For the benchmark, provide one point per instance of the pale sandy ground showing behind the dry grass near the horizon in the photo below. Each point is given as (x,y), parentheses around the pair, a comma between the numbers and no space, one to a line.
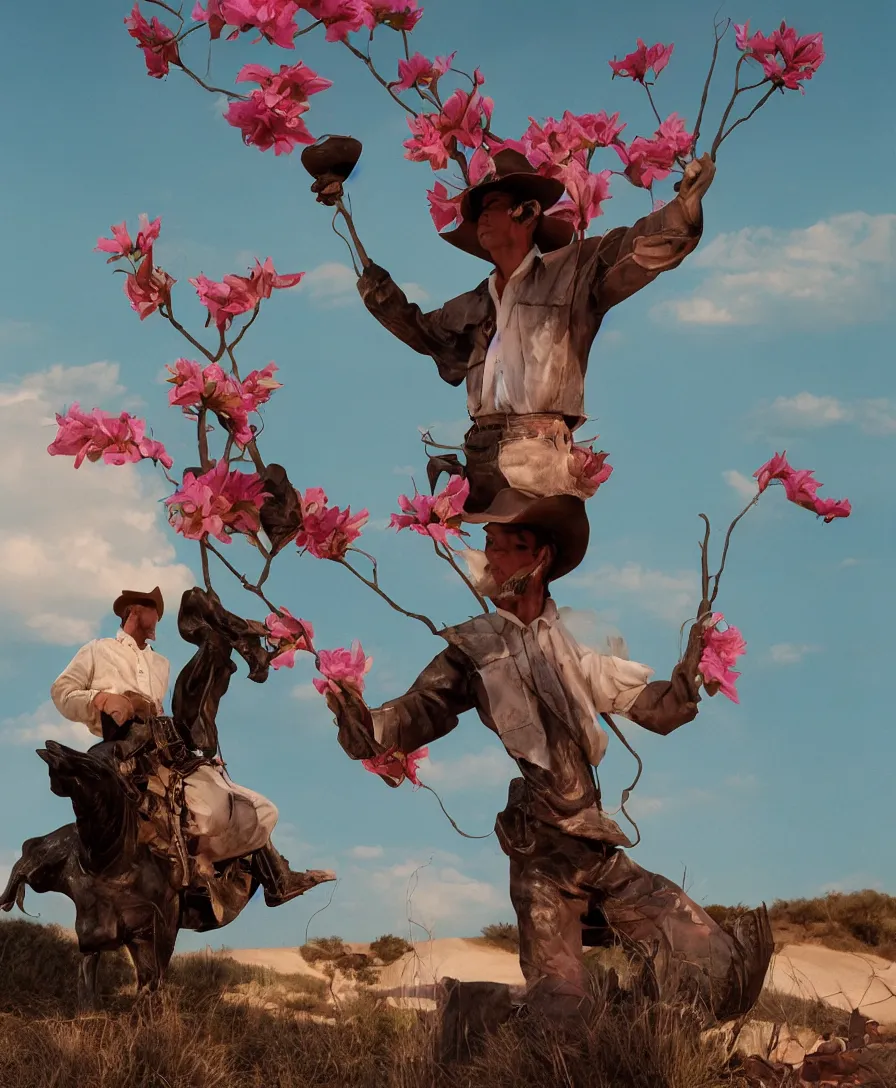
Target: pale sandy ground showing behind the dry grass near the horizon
(841,979)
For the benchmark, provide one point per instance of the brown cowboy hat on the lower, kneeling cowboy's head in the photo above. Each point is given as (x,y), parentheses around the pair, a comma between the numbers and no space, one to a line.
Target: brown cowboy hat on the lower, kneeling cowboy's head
(563,517)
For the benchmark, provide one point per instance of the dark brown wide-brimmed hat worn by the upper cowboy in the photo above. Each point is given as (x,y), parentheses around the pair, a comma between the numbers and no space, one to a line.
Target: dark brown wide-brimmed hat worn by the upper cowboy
(514,174)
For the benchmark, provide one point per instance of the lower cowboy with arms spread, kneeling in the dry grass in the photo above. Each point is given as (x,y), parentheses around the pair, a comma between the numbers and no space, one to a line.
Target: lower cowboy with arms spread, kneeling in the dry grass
(542,693)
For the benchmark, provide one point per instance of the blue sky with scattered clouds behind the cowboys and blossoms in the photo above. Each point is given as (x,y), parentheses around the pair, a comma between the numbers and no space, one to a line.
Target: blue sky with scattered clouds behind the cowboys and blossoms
(777,333)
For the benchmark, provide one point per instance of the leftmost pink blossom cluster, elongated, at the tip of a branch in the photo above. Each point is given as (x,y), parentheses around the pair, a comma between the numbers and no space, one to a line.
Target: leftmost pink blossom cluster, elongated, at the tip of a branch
(95,436)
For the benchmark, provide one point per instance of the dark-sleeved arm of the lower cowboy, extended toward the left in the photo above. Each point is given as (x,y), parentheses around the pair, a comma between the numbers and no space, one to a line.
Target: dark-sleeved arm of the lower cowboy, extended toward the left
(428,711)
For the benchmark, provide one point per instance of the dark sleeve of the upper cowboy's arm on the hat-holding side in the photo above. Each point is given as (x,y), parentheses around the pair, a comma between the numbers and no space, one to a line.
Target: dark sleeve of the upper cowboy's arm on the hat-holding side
(446,335)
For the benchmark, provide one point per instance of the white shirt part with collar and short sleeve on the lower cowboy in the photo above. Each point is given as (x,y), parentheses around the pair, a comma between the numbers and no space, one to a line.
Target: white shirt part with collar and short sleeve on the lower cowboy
(599,684)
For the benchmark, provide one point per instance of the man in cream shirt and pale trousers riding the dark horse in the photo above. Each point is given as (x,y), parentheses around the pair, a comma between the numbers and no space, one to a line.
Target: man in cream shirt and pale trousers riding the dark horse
(117,688)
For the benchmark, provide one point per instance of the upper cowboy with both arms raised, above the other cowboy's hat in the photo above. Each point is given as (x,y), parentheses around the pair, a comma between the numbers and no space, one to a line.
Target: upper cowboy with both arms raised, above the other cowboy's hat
(521,339)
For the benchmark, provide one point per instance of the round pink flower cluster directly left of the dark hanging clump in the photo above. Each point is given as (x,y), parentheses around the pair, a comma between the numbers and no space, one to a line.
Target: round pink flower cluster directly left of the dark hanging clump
(216,503)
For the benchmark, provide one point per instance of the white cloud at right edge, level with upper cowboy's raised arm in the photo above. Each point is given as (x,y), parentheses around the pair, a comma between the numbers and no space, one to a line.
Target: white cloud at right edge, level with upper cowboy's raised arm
(837,270)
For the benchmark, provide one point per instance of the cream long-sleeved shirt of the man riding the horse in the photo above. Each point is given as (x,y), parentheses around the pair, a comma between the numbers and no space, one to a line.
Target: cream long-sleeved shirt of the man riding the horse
(109,665)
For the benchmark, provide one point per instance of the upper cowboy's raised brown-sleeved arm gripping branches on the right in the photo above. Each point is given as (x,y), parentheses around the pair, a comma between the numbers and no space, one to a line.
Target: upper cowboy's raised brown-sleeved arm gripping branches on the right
(630,258)
